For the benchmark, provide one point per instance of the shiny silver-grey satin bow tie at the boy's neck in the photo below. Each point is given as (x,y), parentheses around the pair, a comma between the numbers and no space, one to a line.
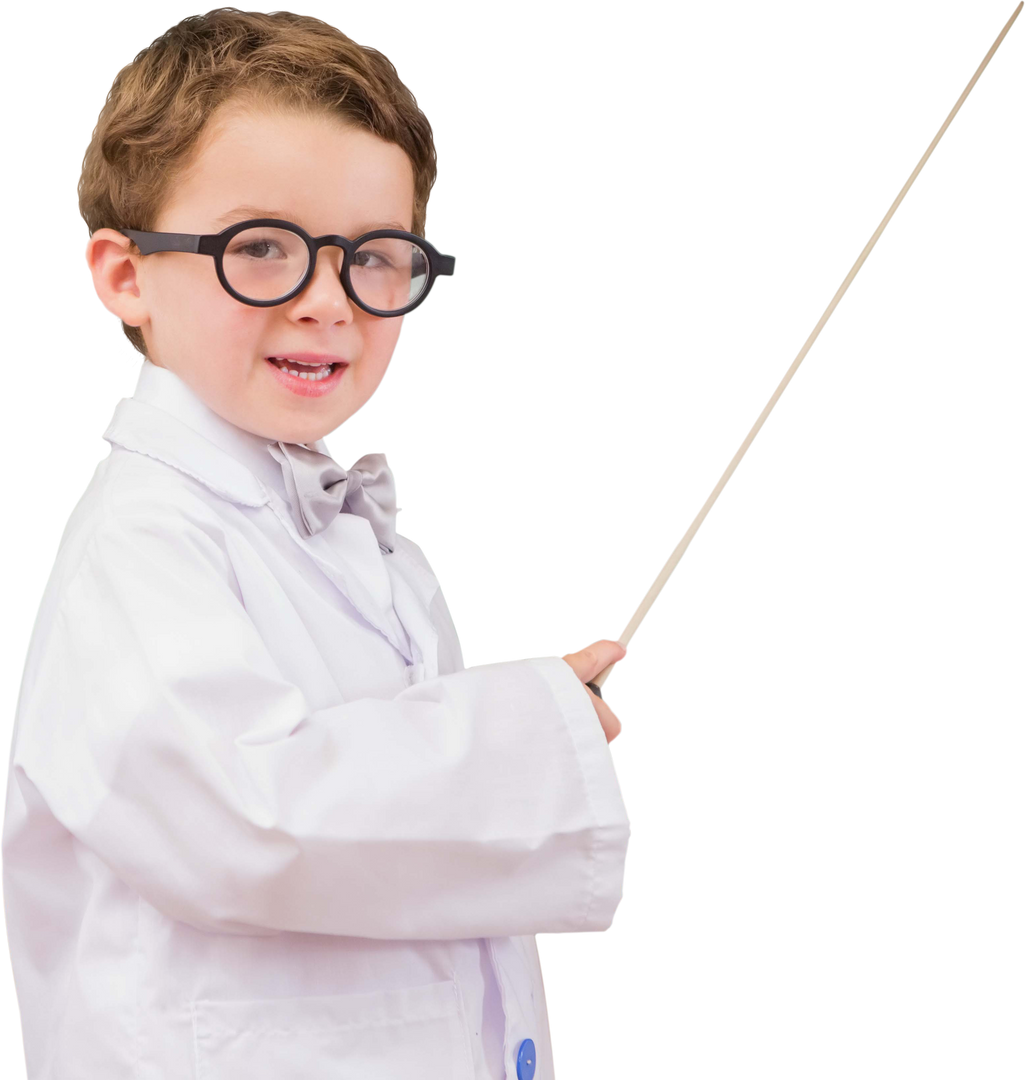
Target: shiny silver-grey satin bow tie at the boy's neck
(320,489)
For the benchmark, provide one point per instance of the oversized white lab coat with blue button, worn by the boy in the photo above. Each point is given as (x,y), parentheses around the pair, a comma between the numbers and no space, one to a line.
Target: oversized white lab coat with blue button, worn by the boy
(261,820)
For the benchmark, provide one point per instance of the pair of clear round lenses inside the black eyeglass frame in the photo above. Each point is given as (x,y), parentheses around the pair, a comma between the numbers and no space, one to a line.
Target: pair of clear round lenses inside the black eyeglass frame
(264,264)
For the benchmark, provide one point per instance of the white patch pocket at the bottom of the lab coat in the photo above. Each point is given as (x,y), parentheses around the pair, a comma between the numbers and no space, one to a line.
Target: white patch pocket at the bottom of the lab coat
(415,1034)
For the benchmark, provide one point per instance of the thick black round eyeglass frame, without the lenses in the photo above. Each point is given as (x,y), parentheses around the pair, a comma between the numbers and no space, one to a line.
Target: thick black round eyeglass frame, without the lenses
(440,264)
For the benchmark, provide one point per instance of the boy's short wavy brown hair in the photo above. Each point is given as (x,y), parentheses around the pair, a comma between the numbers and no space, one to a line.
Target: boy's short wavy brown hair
(146,133)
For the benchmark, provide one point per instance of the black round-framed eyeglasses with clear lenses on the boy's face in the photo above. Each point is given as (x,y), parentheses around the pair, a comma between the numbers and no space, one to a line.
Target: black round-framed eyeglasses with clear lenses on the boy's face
(268,262)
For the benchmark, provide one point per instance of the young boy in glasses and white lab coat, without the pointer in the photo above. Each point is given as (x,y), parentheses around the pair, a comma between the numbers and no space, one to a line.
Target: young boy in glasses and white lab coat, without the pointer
(261,818)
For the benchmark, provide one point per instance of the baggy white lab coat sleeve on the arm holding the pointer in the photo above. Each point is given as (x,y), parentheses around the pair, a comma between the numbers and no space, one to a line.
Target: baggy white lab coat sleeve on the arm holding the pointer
(163,735)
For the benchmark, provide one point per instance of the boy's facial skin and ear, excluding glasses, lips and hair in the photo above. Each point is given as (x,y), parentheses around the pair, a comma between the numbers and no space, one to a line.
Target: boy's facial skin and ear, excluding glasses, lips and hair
(321,174)
